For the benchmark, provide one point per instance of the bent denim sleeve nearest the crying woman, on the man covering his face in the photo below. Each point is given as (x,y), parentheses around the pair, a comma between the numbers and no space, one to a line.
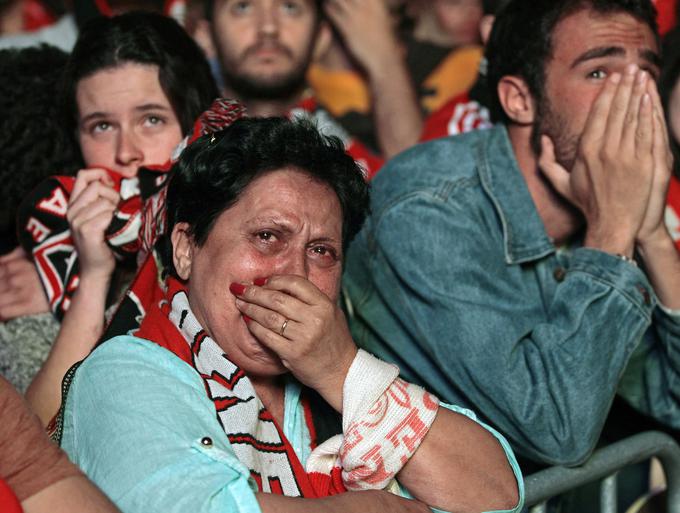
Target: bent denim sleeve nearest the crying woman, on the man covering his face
(539,357)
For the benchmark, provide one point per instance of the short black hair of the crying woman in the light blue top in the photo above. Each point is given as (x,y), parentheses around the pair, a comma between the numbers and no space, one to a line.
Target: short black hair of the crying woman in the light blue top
(210,177)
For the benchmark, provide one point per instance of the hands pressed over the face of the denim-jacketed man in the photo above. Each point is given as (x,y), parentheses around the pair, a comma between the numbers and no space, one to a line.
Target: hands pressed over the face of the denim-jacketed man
(617,178)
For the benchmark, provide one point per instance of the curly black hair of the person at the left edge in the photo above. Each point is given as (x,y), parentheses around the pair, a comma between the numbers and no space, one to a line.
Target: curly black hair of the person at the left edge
(34,144)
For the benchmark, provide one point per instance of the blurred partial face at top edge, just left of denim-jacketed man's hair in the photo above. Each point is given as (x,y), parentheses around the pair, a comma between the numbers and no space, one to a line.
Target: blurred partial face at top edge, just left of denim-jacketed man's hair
(460,19)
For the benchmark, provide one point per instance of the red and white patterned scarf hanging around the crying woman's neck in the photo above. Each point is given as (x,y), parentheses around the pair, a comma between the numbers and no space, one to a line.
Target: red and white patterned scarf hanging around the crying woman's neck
(256,438)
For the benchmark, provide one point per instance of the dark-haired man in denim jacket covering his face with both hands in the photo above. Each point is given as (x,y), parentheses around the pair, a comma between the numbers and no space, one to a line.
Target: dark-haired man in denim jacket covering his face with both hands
(522,296)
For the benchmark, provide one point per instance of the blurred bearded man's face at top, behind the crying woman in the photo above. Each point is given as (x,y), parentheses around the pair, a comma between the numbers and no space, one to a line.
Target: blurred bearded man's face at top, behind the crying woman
(264,46)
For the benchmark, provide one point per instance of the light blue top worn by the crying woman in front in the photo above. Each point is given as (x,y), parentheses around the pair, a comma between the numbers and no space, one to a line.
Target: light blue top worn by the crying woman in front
(134,419)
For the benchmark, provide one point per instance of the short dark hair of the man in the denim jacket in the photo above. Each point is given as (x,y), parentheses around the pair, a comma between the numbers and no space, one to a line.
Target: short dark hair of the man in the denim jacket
(521,39)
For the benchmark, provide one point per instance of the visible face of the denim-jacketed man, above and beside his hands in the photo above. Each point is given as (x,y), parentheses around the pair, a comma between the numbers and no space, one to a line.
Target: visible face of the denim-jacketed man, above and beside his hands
(587,48)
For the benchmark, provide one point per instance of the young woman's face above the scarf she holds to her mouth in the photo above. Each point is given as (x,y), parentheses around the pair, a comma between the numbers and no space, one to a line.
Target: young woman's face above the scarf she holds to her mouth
(125,120)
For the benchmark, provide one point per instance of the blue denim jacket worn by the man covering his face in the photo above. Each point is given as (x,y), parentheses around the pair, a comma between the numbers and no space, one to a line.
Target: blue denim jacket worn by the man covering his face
(454,279)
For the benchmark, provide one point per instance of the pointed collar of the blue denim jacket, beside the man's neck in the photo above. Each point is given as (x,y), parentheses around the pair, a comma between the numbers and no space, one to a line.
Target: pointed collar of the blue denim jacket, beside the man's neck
(523,230)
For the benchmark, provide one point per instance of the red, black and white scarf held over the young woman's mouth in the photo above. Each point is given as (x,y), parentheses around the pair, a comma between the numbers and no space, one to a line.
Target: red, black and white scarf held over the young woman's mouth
(44,231)
